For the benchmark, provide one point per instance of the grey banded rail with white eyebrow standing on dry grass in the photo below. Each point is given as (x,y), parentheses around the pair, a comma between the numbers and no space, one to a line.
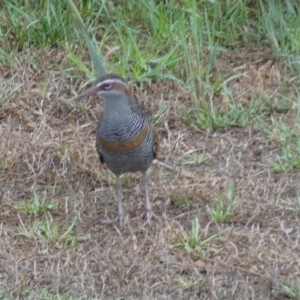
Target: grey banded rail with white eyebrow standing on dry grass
(126,138)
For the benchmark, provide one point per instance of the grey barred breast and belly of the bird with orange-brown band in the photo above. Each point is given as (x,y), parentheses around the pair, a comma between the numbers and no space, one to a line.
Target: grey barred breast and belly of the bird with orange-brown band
(126,144)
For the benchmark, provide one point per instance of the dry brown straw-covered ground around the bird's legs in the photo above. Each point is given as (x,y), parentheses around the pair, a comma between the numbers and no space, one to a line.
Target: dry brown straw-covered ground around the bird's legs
(47,151)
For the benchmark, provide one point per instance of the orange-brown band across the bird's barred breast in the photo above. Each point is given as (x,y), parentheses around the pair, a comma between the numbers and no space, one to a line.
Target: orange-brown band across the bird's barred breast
(126,146)
